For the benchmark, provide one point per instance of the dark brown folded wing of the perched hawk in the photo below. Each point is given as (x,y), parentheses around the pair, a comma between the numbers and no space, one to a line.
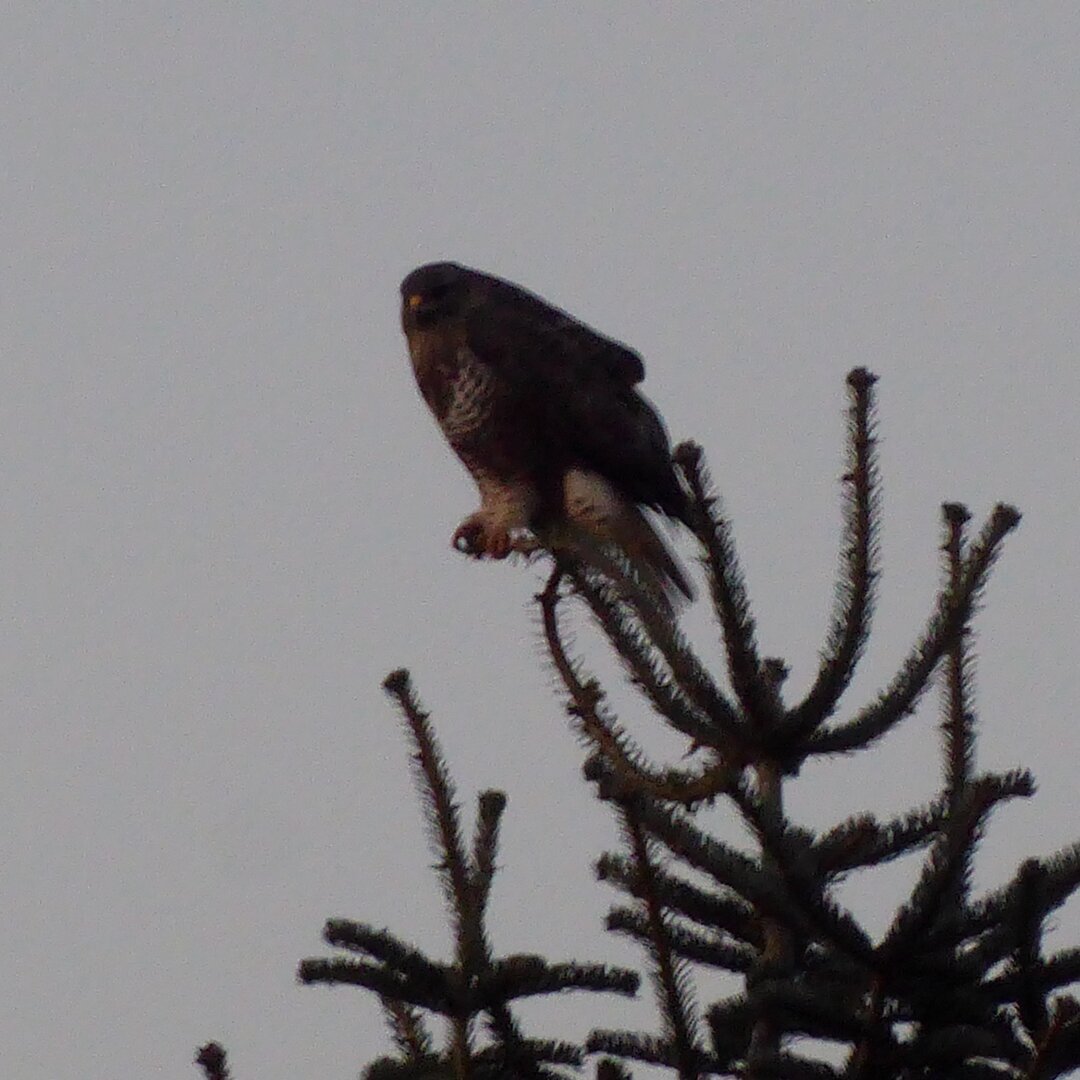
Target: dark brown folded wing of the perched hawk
(582,387)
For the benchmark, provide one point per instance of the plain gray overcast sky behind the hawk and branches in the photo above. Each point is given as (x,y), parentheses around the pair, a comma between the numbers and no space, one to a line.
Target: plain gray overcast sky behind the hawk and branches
(227,512)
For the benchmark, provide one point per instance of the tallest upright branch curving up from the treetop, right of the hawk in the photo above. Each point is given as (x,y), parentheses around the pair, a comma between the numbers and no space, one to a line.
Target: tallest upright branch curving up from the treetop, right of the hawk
(859,566)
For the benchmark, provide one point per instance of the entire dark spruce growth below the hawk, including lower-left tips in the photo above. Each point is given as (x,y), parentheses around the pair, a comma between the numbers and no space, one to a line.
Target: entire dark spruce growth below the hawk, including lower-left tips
(960,985)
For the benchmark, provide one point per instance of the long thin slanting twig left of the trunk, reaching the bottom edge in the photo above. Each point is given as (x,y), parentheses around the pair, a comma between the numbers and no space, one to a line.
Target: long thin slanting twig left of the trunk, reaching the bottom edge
(673,992)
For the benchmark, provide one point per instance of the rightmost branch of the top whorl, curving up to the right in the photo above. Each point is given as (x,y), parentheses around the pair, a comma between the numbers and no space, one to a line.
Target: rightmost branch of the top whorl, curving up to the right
(953,613)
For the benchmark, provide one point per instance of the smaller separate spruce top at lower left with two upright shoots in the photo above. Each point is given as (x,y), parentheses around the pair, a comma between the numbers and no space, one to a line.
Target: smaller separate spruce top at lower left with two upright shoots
(477,987)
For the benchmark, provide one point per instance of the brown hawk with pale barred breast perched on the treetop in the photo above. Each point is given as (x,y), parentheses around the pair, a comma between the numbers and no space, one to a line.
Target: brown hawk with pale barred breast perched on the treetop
(545,414)
